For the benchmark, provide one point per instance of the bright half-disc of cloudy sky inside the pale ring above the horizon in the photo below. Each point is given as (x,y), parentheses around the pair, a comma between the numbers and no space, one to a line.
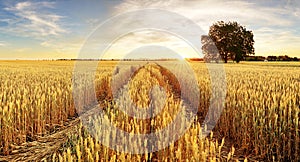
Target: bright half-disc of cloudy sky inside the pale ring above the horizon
(157,40)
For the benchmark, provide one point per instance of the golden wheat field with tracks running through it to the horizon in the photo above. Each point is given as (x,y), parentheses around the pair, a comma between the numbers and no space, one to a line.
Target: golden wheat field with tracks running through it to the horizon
(42,117)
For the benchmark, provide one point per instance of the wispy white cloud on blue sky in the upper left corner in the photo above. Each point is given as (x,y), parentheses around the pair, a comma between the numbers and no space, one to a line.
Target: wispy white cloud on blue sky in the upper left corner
(34,19)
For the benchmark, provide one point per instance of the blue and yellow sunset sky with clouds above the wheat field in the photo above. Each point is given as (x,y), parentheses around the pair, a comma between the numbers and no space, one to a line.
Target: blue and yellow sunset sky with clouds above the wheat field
(62,28)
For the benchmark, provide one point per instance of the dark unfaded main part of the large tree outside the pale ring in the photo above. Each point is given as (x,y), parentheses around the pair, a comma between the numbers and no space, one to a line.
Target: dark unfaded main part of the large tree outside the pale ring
(232,40)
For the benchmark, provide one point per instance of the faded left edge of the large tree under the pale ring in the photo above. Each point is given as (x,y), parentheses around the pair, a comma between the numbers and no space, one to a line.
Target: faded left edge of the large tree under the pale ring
(209,49)
